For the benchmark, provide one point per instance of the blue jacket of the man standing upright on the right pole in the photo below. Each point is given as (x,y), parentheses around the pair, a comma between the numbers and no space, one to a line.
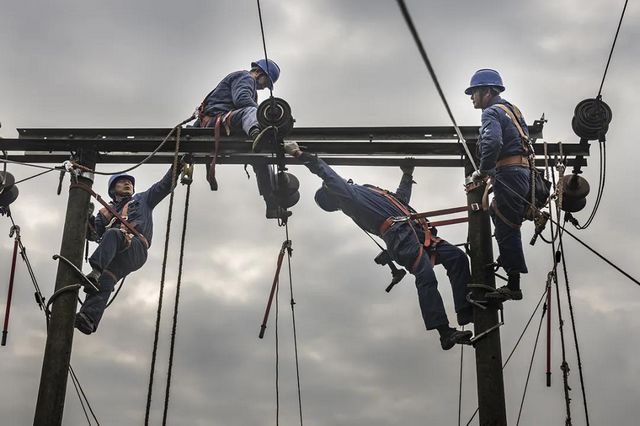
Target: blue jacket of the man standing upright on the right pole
(499,137)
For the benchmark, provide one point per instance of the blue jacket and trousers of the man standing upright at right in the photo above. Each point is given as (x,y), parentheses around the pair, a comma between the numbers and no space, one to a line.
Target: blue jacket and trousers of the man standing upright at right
(499,138)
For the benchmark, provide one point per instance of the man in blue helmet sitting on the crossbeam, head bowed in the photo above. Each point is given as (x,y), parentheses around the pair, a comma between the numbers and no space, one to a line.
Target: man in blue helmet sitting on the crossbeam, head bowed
(233,104)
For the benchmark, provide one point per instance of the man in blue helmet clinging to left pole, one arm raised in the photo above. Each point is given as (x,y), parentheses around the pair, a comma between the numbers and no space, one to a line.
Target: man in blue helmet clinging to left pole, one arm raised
(119,251)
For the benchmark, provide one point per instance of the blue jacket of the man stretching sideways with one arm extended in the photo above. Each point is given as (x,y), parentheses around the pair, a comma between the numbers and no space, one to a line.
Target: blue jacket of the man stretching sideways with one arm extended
(367,208)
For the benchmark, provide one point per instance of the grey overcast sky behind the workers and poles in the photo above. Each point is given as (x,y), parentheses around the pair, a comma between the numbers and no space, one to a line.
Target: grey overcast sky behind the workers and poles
(365,358)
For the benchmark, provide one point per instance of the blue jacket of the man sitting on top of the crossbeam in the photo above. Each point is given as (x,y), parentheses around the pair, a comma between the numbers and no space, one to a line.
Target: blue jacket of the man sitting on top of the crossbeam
(235,91)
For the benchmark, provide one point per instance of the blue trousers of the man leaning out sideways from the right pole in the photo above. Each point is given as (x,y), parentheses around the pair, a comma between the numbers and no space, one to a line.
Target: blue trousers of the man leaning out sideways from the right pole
(403,244)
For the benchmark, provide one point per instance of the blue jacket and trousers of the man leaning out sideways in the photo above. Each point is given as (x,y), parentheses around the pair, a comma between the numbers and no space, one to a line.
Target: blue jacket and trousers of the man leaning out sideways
(369,209)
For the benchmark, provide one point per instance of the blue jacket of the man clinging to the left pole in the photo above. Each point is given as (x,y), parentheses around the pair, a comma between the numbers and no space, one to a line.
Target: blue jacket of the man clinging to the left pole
(140,210)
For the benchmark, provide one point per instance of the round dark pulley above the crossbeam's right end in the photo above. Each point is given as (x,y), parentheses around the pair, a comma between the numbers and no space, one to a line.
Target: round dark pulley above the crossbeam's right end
(591,119)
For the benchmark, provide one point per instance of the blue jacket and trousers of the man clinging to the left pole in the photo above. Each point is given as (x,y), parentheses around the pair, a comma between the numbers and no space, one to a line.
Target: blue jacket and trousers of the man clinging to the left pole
(115,257)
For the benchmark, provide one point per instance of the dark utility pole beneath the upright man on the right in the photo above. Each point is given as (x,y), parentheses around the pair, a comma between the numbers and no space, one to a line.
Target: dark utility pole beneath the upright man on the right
(491,403)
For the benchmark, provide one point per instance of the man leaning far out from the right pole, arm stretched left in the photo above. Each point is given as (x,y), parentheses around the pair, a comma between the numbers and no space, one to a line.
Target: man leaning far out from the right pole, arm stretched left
(412,244)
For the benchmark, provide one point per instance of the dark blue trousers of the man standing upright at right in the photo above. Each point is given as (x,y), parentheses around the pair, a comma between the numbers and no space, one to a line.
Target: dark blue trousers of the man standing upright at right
(510,189)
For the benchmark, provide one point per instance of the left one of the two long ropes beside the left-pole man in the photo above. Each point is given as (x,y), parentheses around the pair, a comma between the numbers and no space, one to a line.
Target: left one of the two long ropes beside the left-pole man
(162,279)
